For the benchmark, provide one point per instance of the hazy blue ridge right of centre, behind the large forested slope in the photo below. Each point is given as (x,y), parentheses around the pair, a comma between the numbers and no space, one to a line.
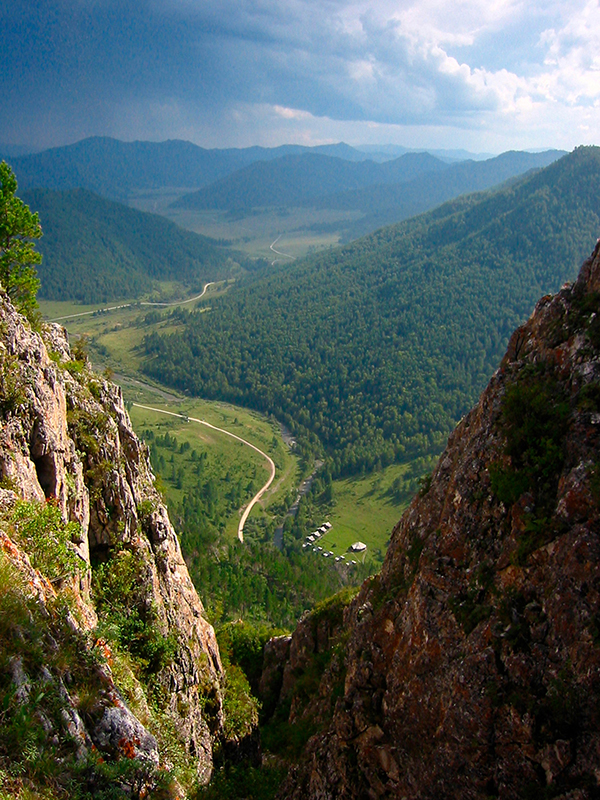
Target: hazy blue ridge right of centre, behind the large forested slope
(385,193)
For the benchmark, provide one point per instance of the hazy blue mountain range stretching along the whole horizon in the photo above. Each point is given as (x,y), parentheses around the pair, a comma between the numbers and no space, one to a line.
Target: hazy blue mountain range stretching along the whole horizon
(376,188)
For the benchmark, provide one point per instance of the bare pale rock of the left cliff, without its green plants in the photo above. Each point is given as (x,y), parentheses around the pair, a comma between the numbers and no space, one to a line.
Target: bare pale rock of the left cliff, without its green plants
(65,437)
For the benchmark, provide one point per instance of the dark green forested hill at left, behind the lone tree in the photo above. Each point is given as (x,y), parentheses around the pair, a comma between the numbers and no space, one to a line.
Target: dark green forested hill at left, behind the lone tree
(95,250)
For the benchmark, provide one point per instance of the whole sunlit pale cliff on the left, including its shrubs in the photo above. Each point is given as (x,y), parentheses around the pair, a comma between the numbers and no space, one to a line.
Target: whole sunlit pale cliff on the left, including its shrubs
(88,550)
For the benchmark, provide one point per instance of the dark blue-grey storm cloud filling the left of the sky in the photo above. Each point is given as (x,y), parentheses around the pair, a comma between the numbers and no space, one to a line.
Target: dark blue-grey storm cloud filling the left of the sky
(78,63)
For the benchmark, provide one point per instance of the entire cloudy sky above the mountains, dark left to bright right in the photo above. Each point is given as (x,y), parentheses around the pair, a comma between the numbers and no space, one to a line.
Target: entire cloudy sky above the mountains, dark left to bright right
(483,75)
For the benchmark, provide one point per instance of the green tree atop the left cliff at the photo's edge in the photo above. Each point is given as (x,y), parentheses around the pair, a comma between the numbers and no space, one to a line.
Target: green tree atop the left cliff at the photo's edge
(18,256)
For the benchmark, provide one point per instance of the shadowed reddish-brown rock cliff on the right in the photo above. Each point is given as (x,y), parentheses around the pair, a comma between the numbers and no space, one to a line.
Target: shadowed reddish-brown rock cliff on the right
(473,660)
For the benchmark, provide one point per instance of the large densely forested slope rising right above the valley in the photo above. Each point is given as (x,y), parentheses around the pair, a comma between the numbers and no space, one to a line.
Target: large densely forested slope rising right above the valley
(374,351)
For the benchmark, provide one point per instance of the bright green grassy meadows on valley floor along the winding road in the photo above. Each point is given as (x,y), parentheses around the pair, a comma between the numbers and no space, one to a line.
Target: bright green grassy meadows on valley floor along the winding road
(363,508)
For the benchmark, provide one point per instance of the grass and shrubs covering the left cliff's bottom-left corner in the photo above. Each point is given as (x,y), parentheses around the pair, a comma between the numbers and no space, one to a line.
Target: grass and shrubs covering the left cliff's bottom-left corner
(56,676)
